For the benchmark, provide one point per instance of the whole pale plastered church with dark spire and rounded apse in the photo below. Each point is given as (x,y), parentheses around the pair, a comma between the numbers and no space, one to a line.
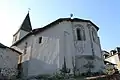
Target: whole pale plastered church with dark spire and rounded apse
(72,41)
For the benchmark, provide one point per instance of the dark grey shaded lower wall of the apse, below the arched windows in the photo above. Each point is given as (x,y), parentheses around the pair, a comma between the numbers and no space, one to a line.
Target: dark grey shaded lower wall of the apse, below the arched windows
(88,63)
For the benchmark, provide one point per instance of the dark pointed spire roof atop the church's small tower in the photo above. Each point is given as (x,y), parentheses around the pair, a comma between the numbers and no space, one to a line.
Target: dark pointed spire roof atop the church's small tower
(26,25)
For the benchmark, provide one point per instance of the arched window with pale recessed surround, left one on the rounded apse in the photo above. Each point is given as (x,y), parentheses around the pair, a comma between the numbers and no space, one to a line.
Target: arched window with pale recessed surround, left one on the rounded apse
(80,33)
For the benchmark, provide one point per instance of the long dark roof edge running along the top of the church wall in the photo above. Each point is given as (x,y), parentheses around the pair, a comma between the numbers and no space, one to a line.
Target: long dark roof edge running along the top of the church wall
(35,31)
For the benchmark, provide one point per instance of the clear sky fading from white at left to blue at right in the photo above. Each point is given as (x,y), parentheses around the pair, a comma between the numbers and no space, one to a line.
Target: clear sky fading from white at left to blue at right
(104,13)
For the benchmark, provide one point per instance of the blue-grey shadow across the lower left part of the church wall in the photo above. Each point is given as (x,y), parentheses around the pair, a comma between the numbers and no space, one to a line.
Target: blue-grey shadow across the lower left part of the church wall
(35,67)
